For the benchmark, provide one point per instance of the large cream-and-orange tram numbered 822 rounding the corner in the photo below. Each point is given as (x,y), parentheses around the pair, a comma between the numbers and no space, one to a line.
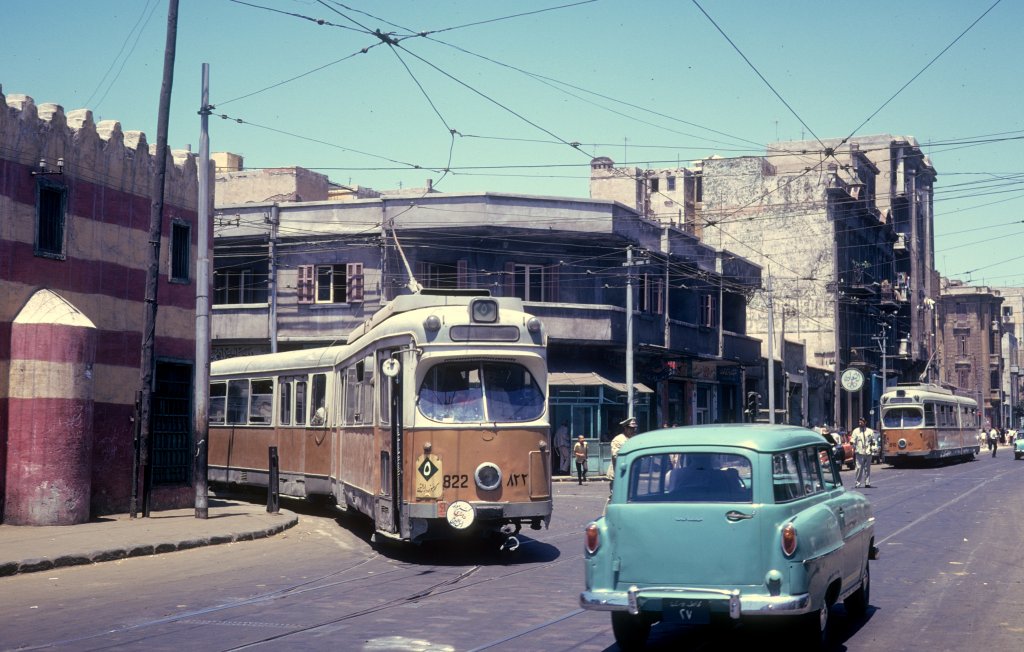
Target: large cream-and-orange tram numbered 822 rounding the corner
(432,419)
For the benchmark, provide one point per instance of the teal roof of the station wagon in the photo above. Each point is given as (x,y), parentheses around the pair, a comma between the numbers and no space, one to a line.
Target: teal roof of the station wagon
(763,438)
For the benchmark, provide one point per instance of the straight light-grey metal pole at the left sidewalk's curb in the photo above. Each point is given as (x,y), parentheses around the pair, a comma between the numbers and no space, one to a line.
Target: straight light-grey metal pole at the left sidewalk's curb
(201,392)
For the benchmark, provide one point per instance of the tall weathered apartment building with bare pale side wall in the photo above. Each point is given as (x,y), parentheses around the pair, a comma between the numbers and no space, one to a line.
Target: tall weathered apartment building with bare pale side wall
(843,230)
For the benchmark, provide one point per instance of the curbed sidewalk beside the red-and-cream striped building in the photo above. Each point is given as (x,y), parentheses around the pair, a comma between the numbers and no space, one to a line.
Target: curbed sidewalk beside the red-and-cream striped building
(28,549)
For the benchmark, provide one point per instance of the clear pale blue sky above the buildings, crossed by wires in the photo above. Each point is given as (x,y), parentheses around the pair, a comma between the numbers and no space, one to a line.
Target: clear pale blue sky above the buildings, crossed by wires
(646,83)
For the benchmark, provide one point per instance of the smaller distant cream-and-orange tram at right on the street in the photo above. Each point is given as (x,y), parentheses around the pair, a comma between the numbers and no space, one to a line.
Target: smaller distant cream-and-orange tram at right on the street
(922,422)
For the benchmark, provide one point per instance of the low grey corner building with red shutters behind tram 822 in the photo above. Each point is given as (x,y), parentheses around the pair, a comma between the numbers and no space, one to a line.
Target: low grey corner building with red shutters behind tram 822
(292,276)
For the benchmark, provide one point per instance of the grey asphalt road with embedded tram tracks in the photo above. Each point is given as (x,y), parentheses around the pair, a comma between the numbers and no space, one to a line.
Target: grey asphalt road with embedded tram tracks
(950,579)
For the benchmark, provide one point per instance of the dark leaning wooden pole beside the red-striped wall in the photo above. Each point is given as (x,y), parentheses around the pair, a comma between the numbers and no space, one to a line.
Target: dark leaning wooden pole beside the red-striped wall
(147,367)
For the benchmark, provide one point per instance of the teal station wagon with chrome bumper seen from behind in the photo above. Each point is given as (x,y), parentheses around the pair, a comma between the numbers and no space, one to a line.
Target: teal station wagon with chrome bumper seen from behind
(721,525)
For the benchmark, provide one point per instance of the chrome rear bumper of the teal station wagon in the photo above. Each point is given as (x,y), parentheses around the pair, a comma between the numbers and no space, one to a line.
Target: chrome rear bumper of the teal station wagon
(734,602)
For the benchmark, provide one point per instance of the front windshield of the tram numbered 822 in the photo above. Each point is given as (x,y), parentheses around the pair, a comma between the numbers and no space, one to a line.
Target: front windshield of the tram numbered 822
(471,393)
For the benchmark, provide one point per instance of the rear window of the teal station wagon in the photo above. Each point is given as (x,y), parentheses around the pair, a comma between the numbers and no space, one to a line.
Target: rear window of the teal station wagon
(691,477)
